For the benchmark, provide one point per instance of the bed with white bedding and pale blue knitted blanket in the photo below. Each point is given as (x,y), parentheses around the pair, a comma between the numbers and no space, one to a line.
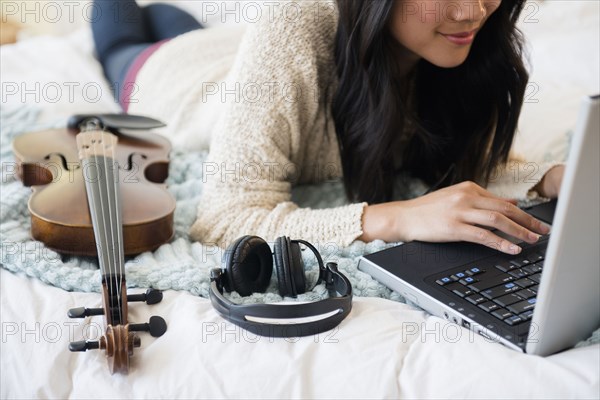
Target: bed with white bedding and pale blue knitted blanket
(386,348)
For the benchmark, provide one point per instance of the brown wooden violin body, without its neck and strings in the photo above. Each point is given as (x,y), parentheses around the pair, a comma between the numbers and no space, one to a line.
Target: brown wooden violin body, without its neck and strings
(60,216)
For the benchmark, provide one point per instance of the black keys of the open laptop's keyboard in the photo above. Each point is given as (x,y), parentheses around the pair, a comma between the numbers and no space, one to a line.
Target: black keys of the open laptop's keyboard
(506,289)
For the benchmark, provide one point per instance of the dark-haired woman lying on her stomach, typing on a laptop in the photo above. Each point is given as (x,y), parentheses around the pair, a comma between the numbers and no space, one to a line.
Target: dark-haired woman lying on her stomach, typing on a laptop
(367,91)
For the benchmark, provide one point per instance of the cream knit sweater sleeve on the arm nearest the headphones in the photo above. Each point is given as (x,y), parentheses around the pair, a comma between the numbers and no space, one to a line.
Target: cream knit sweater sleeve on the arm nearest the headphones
(259,146)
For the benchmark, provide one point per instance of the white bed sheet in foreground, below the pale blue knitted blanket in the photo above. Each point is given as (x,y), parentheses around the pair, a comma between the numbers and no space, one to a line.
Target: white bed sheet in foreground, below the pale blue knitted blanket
(383,349)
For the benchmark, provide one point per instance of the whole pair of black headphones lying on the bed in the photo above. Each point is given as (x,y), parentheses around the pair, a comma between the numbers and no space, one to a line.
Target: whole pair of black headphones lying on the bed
(247,268)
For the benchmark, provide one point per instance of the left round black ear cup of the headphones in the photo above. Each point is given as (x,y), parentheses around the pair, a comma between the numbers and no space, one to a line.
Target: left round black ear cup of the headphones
(249,265)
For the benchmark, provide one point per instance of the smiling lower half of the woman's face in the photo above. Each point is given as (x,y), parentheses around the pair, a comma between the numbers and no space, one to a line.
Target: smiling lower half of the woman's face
(440,31)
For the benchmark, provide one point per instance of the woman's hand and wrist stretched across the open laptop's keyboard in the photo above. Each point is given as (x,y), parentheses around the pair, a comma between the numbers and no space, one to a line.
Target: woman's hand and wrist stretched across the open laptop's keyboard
(463,212)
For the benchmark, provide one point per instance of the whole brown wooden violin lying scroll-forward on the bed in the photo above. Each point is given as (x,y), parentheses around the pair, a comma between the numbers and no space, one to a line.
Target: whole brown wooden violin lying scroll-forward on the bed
(120,219)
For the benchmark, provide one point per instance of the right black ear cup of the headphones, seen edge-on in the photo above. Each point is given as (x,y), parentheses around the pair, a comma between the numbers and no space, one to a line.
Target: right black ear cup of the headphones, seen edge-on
(290,268)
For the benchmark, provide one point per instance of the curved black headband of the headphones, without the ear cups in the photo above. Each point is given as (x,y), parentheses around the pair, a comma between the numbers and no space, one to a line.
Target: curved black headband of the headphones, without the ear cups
(239,314)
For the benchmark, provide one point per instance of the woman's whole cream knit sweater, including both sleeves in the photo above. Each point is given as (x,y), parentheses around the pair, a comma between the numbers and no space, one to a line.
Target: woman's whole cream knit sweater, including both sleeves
(264,102)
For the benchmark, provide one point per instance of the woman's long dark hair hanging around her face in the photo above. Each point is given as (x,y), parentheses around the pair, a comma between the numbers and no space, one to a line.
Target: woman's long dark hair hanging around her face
(461,118)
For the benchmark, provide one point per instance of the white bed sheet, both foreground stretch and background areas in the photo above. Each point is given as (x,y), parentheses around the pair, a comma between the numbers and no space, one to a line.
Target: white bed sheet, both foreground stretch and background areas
(375,353)
